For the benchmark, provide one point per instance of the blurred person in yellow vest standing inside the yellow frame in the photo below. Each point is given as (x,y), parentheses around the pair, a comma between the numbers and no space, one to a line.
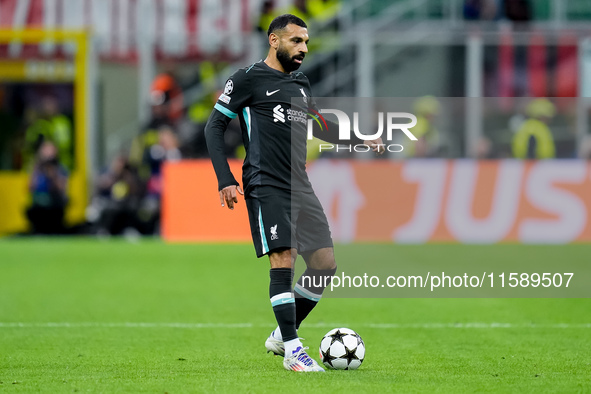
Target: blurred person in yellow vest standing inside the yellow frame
(49,124)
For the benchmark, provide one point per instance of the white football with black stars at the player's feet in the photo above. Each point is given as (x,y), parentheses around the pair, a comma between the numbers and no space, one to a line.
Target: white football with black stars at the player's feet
(342,348)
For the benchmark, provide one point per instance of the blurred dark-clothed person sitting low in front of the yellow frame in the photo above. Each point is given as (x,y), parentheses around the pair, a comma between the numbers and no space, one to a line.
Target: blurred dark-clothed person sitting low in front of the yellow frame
(48,191)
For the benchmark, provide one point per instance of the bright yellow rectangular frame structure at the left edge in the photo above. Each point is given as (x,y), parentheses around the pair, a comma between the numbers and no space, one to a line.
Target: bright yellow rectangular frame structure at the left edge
(14,191)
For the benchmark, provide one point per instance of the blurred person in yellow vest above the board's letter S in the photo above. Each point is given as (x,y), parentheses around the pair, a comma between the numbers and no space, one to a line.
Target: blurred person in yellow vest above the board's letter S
(533,140)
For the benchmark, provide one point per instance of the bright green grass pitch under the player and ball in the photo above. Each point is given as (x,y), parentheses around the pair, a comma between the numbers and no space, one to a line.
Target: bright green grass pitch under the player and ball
(111,283)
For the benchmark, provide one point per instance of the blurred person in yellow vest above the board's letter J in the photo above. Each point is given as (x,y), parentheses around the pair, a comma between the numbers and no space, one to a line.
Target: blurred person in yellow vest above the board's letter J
(428,142)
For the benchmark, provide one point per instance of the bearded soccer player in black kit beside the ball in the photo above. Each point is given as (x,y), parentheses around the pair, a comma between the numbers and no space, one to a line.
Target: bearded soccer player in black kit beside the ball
(285,215)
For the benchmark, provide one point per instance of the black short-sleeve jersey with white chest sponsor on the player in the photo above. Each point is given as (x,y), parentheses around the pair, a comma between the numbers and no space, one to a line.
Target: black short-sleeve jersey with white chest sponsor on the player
(273,132)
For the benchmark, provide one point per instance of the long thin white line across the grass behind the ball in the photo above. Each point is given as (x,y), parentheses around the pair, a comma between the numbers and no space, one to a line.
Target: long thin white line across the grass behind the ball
(313,325)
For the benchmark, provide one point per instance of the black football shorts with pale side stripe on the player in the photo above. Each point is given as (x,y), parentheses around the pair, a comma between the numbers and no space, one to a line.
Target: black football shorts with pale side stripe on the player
(281,218)
